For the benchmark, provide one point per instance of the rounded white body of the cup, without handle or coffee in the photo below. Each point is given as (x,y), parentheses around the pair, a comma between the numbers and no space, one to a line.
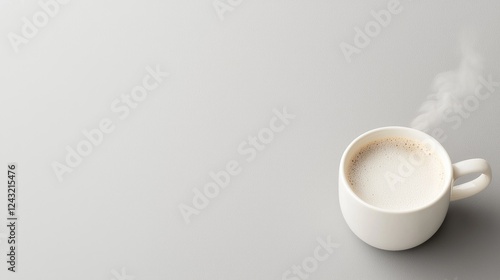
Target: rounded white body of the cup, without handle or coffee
(394,229)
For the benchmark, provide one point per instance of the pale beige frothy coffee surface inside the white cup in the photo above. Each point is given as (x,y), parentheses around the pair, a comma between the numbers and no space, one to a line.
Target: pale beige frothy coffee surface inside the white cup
(396,173)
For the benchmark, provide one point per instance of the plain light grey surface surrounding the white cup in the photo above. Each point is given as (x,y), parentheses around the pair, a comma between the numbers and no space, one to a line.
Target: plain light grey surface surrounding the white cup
(116,215)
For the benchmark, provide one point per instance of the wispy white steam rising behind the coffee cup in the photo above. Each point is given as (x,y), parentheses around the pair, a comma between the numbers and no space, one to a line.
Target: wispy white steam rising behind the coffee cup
(451,87)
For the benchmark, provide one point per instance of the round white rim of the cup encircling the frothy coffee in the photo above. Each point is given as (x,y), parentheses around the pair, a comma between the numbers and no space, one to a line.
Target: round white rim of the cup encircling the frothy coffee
(443,156)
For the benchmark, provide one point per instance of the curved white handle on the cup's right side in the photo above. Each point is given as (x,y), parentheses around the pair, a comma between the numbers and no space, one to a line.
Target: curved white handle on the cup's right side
(477,165)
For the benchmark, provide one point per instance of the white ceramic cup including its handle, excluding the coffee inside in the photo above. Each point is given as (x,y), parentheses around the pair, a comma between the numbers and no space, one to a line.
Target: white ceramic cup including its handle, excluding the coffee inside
(391,229)
